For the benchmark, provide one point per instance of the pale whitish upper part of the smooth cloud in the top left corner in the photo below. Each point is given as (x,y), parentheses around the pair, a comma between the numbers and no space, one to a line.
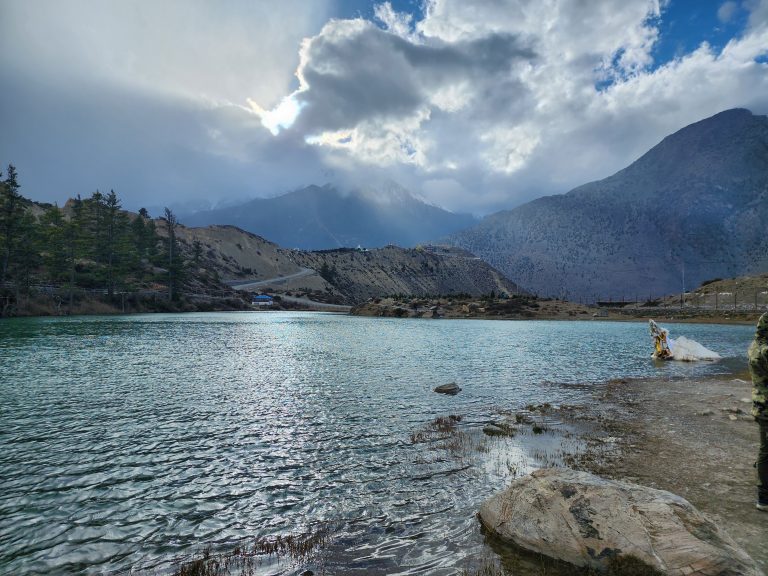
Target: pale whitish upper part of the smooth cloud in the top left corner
(194,48)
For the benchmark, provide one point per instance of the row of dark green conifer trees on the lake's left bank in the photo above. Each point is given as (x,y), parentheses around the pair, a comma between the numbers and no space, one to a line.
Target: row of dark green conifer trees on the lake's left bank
(89,243)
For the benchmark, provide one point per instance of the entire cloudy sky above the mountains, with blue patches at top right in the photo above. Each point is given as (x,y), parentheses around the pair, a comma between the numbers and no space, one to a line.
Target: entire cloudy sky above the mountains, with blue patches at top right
(474,105)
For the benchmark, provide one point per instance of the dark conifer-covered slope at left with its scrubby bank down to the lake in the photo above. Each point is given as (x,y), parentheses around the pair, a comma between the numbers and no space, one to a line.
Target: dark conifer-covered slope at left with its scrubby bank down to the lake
(92,247)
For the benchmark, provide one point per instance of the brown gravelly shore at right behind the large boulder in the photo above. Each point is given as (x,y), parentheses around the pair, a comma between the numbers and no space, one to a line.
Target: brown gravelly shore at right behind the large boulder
(692,437)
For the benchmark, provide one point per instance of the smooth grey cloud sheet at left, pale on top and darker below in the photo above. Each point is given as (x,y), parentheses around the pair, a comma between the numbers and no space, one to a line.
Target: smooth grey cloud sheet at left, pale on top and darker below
(144,97)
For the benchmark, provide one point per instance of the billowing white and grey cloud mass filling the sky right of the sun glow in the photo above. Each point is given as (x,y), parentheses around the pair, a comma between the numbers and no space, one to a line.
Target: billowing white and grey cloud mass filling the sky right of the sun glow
(513,98)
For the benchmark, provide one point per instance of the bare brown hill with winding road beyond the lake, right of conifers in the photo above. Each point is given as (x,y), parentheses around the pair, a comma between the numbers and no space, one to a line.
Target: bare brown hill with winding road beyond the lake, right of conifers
(351,275)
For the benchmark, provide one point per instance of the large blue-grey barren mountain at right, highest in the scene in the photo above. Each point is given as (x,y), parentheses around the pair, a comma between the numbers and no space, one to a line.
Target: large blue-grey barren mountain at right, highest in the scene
(694,207)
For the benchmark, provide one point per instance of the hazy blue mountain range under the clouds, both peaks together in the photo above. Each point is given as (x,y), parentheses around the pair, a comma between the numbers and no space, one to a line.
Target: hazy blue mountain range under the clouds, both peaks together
(693,208)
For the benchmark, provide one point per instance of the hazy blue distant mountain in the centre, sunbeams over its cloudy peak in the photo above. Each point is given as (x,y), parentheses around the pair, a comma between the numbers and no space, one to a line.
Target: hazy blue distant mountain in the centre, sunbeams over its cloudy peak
(324,217)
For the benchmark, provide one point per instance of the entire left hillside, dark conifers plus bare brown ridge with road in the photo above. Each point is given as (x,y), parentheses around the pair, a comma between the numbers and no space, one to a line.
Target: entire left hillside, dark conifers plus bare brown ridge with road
(92,256)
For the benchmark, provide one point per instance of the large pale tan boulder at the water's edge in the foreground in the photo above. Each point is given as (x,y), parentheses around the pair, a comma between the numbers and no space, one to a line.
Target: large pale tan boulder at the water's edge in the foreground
(585,520)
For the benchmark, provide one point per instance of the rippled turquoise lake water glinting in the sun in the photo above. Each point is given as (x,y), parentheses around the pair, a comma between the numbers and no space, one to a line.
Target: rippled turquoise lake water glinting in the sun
(130,442)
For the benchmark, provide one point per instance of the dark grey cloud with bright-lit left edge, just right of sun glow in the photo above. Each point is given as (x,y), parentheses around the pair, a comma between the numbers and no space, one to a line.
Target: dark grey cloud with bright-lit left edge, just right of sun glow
(356,71)
